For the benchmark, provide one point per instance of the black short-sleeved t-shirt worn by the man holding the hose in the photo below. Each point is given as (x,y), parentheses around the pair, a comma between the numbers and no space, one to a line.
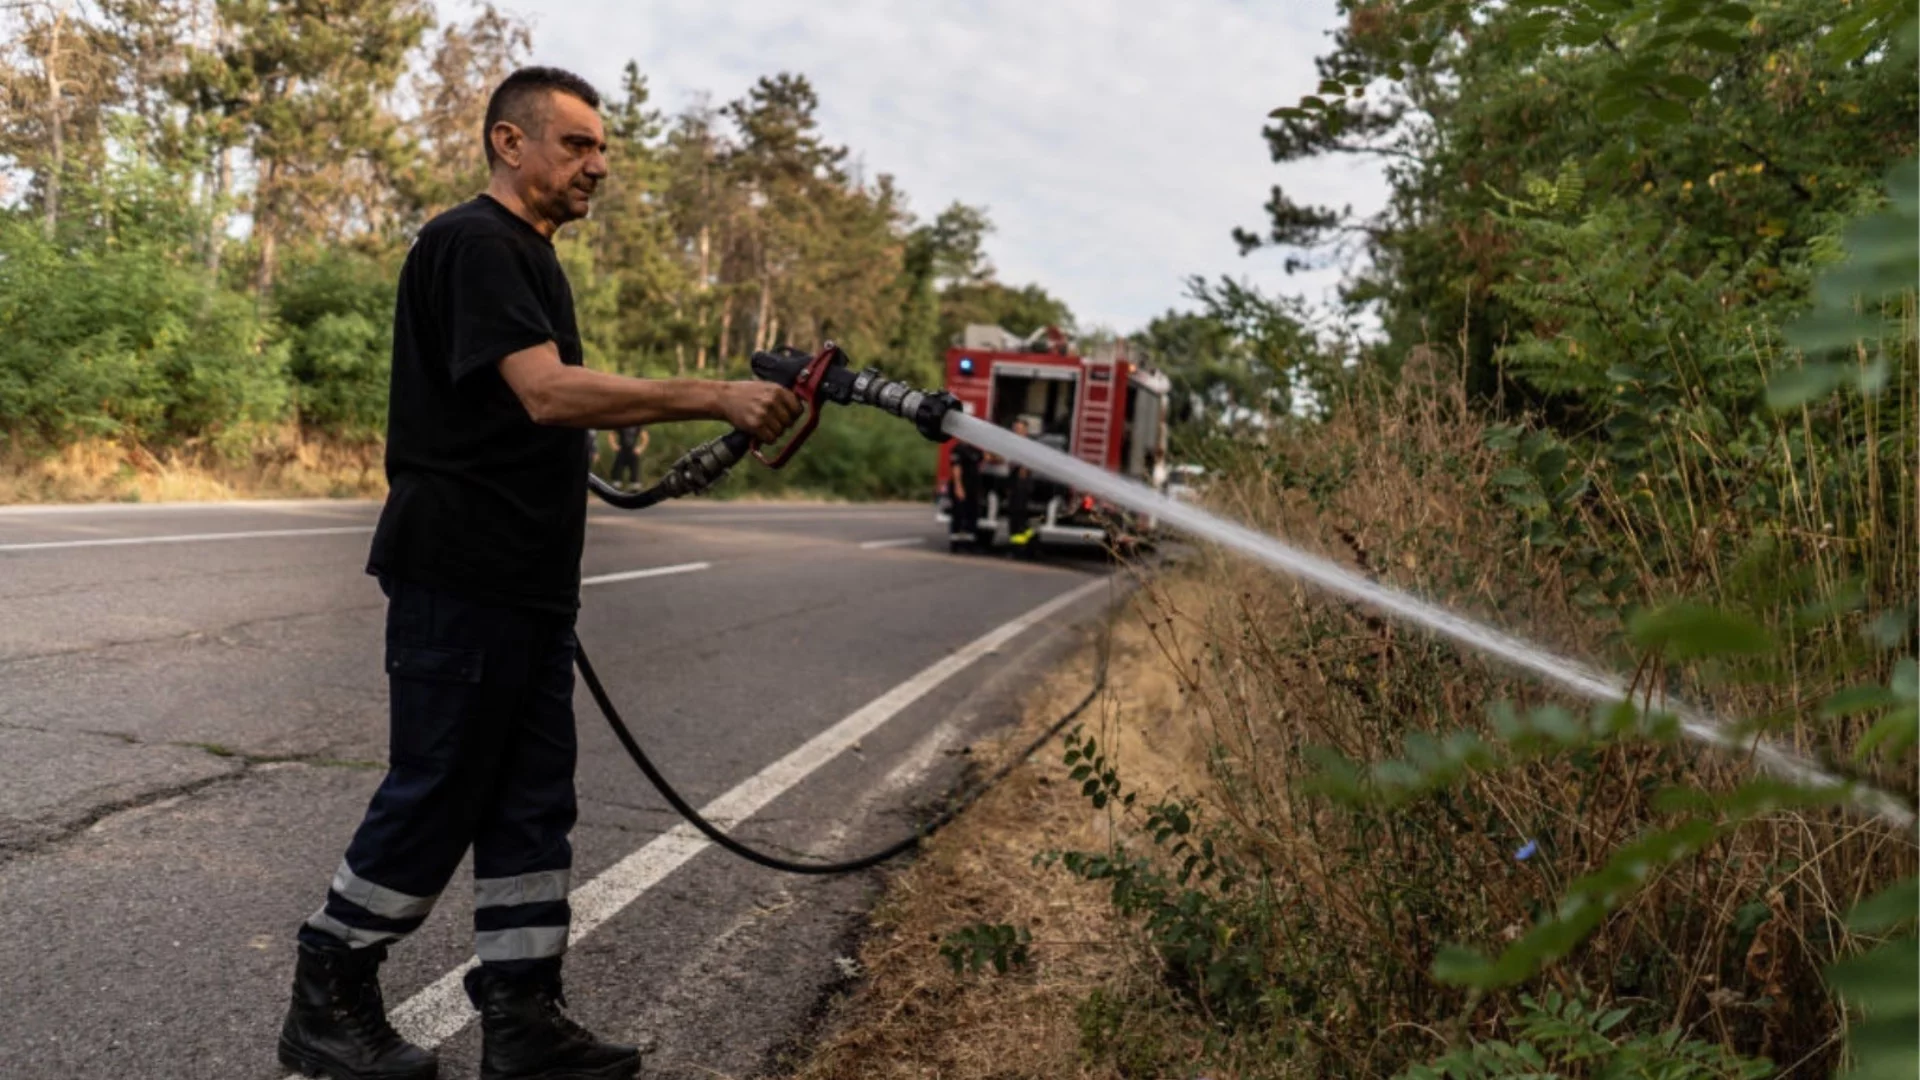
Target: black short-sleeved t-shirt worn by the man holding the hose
(483,501)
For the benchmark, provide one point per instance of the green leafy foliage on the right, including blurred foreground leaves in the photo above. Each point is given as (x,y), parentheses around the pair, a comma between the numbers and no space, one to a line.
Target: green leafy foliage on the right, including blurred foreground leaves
(1673,249)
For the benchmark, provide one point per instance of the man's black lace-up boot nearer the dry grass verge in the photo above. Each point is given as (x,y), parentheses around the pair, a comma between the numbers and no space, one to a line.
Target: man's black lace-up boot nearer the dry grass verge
(525,1035)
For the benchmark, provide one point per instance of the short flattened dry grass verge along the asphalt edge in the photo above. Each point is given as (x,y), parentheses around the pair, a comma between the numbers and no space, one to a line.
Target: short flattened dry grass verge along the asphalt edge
(913,1016)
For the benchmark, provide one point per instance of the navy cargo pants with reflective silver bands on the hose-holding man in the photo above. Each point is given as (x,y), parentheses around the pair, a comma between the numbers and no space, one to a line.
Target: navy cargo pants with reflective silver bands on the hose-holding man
(481,754)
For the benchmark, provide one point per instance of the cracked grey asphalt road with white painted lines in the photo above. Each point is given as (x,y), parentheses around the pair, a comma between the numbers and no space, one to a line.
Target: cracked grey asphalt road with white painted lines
(193,718)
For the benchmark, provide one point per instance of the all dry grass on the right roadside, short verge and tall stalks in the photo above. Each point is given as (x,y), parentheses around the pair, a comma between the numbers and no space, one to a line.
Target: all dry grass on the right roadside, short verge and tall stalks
(1228,675)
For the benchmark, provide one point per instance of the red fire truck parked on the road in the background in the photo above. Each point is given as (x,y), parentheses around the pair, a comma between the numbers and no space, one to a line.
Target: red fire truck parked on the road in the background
(1105,408)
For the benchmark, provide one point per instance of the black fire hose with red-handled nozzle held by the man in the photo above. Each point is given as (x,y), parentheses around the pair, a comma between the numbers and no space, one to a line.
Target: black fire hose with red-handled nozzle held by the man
(817,380)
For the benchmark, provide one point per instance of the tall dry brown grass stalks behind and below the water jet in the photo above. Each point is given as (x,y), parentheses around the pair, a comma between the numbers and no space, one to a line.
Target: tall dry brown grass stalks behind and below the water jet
(1727,946)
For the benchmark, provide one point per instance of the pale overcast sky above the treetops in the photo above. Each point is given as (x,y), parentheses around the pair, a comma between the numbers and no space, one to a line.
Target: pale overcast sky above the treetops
(1116,143)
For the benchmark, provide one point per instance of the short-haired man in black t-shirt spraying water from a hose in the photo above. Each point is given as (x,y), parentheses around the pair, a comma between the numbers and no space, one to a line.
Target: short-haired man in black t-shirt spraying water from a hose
(479,554)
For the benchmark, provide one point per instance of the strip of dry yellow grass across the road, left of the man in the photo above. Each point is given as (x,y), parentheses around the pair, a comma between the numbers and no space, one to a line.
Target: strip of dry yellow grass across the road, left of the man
(285,466)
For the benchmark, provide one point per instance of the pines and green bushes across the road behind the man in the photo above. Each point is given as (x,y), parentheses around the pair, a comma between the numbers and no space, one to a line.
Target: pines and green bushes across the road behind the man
(210,201)
